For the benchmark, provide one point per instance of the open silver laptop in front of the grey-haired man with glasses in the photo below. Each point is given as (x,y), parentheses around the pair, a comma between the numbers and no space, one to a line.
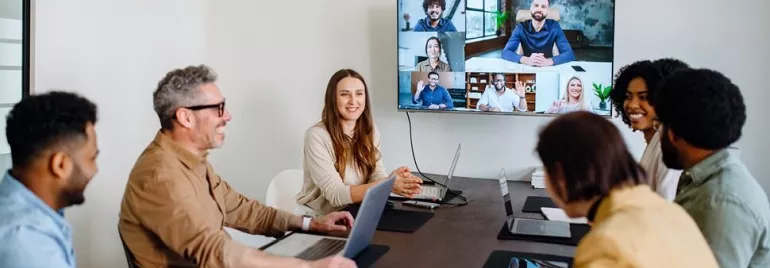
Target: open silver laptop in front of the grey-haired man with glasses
(314,247)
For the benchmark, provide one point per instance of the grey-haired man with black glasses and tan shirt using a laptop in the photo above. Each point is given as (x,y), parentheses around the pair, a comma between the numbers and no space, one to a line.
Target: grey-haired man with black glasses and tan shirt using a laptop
(175,207)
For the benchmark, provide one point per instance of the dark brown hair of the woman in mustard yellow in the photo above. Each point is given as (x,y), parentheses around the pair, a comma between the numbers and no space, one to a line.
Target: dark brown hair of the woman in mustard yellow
(591,153)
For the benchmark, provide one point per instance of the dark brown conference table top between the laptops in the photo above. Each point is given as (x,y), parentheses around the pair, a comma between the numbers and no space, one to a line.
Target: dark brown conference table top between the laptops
(464,236)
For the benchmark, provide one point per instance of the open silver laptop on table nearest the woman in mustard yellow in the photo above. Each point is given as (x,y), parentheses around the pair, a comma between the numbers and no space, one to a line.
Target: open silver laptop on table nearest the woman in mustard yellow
(531,227)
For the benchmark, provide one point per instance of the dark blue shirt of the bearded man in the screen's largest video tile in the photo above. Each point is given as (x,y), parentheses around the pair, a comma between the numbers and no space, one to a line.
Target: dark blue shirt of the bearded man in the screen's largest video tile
(538,42)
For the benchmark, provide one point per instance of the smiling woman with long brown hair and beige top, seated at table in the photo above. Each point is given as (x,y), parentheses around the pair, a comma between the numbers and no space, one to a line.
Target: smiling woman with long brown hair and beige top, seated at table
(341,153)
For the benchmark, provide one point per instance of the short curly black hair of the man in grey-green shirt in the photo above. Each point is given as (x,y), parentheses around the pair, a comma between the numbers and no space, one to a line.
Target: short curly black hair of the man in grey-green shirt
(703,107)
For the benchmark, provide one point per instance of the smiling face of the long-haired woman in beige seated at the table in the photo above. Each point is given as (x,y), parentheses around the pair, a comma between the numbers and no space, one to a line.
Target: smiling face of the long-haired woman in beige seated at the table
(351,98)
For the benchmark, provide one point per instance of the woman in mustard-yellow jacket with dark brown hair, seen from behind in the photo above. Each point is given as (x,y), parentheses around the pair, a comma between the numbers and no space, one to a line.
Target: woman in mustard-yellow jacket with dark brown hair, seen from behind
(590,173)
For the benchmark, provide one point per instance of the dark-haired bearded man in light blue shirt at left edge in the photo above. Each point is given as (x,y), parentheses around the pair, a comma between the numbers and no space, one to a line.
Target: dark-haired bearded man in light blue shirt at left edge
(53,150)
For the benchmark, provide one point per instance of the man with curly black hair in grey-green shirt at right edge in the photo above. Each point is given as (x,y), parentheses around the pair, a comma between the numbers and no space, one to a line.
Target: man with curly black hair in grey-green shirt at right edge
(702,113)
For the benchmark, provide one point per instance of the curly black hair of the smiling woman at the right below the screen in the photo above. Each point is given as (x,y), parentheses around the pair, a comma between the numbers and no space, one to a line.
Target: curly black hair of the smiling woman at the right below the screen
(652,72)
